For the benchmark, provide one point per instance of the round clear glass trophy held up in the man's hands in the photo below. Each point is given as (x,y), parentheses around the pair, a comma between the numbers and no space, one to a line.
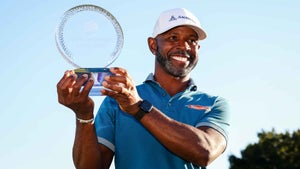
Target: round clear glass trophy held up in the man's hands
(90,39)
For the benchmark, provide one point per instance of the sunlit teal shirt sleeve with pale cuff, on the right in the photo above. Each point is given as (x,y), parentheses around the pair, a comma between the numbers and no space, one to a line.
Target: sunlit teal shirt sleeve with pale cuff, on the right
(218,117)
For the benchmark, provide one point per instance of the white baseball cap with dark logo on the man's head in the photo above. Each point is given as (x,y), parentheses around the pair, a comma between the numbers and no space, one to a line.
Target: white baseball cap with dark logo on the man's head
(177,17)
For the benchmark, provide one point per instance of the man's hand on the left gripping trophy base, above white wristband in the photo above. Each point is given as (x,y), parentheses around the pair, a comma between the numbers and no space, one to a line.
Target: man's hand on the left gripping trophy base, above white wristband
(70,94)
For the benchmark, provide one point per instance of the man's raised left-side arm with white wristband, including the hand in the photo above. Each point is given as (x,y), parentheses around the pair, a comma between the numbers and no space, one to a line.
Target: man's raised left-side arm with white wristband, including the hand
(87,152)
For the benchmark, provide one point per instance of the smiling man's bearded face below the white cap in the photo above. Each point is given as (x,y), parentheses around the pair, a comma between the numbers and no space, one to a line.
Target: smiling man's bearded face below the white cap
(177,51)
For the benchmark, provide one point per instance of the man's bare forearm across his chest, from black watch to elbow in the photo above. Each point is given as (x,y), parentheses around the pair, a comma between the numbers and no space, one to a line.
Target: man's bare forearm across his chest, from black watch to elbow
(199,145)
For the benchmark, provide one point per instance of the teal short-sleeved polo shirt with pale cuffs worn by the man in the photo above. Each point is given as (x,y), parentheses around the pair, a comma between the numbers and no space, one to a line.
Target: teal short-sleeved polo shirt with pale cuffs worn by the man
(135,147)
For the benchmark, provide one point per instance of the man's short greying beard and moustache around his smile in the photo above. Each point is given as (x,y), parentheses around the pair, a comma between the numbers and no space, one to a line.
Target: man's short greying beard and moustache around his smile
(168,67)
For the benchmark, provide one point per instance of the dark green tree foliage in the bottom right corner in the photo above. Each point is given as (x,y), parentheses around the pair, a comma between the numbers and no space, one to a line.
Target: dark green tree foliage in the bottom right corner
(273,151)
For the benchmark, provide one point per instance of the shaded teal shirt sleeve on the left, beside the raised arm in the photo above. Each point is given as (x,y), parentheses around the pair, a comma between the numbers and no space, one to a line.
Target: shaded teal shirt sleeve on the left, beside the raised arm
(105,123)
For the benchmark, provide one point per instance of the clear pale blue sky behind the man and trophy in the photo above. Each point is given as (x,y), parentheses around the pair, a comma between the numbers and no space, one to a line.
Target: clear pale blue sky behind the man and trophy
(251,57)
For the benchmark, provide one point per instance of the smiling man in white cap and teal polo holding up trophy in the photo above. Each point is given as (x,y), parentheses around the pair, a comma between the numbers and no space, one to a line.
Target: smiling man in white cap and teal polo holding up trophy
(164,123)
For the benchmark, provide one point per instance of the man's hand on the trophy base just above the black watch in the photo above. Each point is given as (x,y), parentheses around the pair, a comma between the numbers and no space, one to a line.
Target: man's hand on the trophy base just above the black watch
(122,88)
